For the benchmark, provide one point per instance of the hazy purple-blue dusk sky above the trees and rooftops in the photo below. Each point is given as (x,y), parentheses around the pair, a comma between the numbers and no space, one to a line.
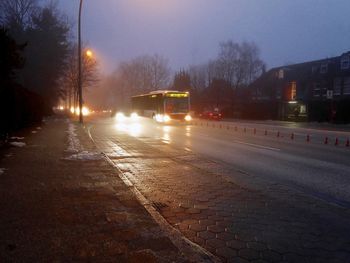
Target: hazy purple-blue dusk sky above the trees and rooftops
(189,31)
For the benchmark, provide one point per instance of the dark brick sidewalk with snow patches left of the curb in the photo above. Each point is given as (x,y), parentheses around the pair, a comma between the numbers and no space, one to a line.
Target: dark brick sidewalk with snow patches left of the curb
(60,201)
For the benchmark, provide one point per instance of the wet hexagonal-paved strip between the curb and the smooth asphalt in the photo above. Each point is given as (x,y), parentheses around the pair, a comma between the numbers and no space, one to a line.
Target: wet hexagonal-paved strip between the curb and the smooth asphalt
(256,222)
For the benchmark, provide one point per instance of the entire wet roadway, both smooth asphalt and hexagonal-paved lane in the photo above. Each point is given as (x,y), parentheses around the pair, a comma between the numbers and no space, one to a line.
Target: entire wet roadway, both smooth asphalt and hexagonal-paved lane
(280,171)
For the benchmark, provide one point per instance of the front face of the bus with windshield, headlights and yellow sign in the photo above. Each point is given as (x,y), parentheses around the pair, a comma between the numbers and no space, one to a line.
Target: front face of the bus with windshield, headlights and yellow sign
(177,106)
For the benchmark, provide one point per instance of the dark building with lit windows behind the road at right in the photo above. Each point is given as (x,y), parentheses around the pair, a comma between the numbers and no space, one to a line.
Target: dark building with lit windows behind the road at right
(314,91)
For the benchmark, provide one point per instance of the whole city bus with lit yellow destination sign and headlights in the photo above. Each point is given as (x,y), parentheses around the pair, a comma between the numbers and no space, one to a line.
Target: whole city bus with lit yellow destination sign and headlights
(163,105)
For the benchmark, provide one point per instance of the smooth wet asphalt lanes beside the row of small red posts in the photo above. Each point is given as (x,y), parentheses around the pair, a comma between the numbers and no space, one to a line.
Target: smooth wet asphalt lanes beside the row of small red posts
(316,168)
